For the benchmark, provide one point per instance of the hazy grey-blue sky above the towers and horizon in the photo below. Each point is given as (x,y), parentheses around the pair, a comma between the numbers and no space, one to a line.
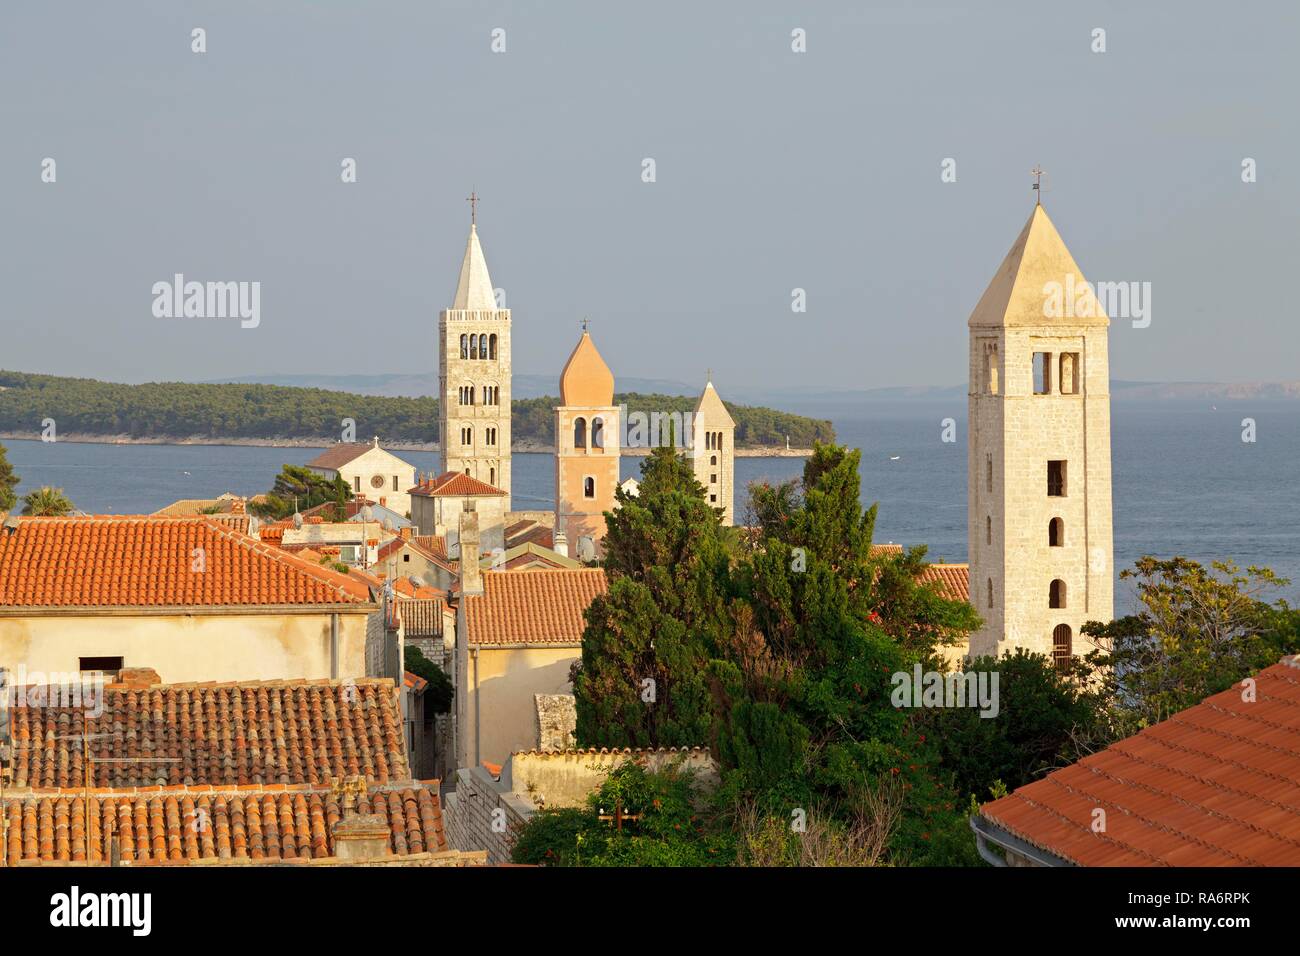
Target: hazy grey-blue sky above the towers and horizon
(774,171)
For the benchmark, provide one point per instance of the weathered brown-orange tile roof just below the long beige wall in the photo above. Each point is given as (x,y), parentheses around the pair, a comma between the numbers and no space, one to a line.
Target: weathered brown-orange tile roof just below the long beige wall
(258,733)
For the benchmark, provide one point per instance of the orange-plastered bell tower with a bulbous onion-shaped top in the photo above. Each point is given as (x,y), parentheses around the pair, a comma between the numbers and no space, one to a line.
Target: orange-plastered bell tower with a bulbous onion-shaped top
(587,449)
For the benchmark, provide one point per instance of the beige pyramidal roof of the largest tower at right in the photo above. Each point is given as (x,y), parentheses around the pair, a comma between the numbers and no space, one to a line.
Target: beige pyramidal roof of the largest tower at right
(1022,293)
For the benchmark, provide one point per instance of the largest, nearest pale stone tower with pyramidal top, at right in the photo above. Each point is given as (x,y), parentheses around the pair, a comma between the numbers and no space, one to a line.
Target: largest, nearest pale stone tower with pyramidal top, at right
(1042,560)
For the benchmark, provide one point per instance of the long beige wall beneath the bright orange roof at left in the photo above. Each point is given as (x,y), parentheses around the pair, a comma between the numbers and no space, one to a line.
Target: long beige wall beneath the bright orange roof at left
(190,647)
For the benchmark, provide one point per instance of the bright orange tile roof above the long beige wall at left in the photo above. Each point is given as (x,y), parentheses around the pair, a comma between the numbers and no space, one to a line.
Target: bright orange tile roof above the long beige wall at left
(142,561)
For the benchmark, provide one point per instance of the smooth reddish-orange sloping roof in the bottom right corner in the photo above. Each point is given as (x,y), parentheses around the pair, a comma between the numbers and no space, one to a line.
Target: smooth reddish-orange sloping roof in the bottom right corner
(1217,785)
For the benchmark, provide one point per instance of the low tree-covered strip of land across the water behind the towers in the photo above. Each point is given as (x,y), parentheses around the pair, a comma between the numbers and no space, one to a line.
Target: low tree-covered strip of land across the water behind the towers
(180,410)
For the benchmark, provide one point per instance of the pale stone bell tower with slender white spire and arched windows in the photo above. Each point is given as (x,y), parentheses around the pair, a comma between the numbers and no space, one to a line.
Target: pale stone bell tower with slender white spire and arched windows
(474,377)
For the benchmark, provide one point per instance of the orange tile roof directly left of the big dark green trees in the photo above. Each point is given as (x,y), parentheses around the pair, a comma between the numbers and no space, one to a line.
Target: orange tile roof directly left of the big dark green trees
(532,608)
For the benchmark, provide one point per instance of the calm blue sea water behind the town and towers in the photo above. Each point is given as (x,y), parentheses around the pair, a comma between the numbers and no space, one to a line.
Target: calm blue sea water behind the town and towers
(1185,483)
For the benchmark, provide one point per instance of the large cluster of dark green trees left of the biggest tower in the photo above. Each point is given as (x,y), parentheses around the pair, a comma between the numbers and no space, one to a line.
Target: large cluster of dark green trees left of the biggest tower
(777,655)
